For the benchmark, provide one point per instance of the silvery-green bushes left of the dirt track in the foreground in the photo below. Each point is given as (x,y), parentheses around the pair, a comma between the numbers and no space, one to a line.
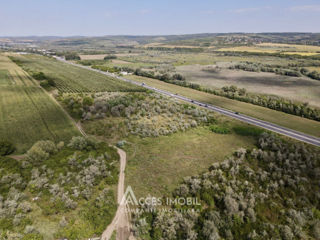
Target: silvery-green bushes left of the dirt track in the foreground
(56,180)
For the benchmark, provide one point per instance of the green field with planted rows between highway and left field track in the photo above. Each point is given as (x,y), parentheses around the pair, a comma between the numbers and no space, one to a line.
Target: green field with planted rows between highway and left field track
(70,78)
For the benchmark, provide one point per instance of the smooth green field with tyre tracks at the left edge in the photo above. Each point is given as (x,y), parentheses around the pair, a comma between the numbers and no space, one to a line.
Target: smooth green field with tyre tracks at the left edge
(27,113)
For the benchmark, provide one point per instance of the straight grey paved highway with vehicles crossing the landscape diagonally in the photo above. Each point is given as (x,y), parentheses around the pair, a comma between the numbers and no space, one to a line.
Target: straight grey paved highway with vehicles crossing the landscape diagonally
(254,121)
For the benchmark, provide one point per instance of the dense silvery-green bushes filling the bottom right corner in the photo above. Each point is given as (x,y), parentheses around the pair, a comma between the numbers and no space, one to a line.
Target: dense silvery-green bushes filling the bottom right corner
(270,192)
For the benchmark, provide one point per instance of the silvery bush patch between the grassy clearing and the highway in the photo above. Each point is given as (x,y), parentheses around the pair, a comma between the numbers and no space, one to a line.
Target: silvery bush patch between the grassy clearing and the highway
(143,114)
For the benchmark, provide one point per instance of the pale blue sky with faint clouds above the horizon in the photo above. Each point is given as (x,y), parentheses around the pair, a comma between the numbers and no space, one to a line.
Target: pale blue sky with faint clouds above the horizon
(150,17)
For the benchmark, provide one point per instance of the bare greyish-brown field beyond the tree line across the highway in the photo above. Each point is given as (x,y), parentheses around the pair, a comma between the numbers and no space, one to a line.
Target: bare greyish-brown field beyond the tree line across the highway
(300,89)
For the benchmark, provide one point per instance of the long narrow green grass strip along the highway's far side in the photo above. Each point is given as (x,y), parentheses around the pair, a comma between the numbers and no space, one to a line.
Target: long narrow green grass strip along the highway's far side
(286,120)
